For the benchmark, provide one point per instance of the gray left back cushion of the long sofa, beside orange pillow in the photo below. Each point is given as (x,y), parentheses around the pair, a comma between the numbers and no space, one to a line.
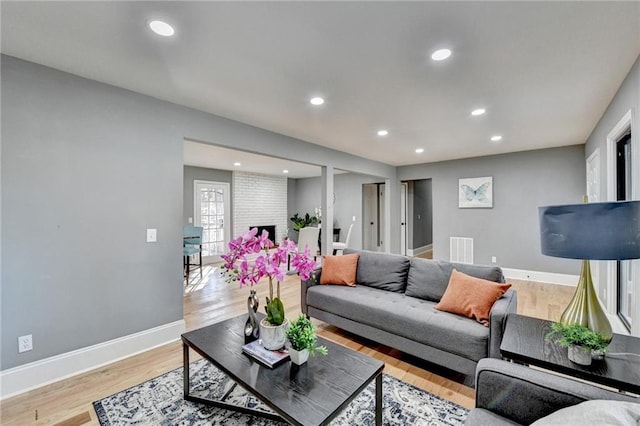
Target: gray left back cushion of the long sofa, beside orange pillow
(382,270)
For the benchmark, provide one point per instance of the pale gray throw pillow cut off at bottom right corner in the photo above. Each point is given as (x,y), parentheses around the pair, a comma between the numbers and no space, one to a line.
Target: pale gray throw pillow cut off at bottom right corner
(595,412)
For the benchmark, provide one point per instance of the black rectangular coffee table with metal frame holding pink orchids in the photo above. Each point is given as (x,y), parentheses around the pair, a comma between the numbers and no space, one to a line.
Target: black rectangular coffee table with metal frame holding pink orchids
(311,394)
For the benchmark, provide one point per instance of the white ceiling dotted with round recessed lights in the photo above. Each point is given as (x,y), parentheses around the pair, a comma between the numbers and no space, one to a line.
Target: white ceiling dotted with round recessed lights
(545,71)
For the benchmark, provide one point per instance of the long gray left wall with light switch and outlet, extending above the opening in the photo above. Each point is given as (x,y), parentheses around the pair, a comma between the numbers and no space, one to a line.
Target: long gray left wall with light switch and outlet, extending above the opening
(86,168)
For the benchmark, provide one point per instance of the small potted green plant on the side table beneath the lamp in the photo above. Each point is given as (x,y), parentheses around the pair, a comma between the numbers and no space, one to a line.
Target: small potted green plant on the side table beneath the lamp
(581,342)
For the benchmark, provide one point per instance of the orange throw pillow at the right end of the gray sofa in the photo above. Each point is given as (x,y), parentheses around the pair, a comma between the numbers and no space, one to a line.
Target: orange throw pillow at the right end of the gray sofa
(471,297)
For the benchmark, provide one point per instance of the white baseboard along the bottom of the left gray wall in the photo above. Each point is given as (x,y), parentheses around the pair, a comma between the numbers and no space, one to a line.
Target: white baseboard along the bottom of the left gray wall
(43,372)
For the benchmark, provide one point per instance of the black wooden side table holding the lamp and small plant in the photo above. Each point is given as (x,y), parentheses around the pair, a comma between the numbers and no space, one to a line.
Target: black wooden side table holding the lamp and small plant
(524,341)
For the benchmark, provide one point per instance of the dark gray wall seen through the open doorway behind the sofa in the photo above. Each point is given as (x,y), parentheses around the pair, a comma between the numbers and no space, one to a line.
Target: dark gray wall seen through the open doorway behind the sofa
(422,214)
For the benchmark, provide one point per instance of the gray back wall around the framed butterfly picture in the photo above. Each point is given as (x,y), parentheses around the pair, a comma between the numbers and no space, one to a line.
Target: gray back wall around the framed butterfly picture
(522,182)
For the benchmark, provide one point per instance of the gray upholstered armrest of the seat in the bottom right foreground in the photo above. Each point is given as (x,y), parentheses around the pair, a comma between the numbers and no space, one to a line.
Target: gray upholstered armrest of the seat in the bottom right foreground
(524,395)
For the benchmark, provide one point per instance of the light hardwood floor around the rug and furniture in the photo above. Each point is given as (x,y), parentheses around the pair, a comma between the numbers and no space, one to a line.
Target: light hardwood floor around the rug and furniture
(209,300)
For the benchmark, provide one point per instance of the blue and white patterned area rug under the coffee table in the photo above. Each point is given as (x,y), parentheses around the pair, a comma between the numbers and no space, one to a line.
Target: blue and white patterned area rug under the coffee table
(159,402)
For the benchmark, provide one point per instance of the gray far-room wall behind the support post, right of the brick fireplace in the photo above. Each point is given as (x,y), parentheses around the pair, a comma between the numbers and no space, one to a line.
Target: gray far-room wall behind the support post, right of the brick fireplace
(348,191)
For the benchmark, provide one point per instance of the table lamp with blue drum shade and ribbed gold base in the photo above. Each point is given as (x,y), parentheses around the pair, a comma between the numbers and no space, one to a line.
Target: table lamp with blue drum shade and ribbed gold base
(598,231)
